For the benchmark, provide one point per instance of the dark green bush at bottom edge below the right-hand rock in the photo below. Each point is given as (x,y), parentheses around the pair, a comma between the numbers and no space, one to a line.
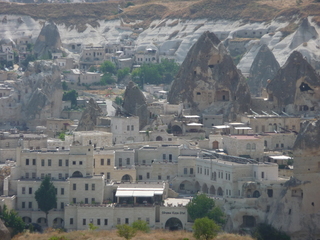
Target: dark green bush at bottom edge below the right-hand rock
(265,232)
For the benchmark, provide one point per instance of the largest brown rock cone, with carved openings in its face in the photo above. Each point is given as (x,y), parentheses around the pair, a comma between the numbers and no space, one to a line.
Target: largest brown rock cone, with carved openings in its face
(208,81)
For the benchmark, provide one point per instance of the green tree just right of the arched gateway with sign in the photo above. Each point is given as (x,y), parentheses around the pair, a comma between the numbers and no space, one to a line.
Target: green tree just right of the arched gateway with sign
(202,206)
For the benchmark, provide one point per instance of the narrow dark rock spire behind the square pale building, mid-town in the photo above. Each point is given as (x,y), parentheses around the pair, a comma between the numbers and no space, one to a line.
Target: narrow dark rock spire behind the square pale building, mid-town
(135,103)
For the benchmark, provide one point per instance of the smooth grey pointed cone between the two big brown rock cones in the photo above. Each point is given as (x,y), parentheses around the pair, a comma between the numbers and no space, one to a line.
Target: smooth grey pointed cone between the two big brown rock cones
(263,68)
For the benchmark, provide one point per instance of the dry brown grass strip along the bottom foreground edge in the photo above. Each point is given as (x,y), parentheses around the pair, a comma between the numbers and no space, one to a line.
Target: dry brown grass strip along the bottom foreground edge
(108,235)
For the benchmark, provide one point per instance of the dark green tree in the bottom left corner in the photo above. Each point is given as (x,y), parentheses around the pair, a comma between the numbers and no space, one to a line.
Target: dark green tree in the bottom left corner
(12,220)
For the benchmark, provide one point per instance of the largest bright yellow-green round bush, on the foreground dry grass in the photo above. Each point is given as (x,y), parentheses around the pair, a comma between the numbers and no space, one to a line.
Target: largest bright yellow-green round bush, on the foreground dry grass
(205,228)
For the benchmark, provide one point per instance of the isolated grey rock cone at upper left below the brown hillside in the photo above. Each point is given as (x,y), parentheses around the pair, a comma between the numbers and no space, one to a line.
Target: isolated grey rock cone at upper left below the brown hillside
(48,41)
